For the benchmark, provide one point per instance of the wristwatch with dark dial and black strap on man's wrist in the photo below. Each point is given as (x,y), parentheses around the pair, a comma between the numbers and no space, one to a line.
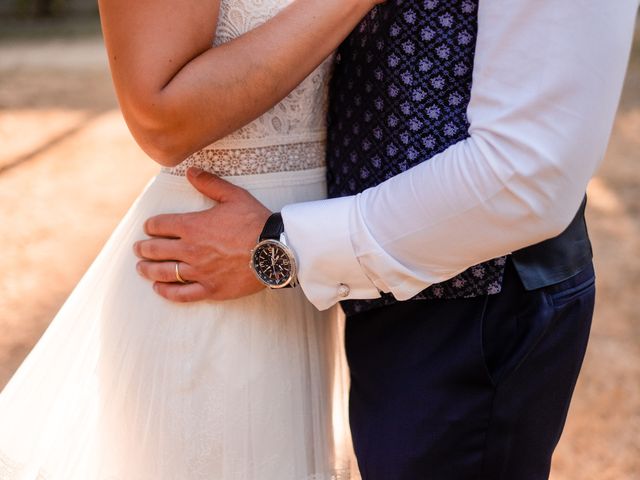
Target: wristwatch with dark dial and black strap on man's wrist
(272,260)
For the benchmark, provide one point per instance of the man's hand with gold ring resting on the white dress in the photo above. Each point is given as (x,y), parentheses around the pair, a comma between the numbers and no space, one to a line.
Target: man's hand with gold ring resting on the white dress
(212,246)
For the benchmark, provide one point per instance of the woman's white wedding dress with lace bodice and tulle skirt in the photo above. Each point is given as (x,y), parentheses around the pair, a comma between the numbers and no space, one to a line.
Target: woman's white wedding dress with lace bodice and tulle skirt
(125,385)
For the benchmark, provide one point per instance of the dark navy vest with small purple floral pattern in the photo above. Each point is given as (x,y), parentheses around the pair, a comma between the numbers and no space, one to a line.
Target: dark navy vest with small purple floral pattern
(399,96)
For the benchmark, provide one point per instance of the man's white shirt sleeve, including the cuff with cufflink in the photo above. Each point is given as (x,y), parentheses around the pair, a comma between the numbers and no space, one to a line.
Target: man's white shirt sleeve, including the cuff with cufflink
(547,80)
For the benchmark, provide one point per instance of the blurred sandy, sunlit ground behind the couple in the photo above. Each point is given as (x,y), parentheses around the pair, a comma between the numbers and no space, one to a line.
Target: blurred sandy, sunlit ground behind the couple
(69,170)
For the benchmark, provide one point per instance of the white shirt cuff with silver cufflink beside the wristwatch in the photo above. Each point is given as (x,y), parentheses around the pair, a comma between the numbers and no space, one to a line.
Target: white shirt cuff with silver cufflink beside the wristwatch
(328,270)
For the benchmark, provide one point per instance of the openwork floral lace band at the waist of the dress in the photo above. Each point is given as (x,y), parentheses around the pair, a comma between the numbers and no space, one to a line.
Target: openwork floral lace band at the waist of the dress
(252,161)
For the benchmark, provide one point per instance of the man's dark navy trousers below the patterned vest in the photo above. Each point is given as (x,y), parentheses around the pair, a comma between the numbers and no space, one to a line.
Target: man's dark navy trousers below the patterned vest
(467,389)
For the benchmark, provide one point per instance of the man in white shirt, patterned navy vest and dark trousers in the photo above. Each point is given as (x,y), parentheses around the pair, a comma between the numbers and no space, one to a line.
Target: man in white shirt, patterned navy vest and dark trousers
(462,136)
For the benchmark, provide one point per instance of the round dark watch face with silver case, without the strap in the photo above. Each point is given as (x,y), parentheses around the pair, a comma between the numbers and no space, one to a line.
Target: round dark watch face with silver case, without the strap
(273,263)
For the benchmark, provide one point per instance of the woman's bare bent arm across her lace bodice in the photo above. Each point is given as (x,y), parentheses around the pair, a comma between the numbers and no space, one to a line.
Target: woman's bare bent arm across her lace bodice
(178,94)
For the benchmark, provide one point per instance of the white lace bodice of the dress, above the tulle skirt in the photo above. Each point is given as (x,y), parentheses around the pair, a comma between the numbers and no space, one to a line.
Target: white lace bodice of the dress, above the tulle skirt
(288,137)
